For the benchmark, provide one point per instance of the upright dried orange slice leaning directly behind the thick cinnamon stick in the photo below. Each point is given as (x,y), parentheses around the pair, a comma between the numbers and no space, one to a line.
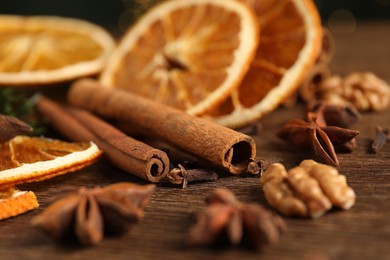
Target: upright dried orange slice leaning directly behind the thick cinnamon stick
(189,54)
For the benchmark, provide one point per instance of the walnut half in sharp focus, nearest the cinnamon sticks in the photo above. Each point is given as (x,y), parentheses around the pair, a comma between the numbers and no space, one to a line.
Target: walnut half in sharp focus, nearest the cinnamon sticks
(308,190)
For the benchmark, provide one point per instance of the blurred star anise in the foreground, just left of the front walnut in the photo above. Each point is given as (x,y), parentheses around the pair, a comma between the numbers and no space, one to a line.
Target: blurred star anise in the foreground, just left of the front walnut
(227,220)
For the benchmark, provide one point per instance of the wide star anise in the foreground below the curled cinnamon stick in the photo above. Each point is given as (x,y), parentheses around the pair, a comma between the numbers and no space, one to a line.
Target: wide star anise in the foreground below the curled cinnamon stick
(88,213)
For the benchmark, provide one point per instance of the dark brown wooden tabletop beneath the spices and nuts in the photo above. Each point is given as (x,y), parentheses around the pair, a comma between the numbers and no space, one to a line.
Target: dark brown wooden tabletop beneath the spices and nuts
(362,232)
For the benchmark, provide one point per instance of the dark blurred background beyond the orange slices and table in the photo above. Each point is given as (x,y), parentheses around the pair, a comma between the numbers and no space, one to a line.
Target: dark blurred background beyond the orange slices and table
(118,14)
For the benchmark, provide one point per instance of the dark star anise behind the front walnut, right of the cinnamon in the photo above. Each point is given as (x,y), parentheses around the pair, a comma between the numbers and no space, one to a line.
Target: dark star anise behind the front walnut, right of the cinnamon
(315,135)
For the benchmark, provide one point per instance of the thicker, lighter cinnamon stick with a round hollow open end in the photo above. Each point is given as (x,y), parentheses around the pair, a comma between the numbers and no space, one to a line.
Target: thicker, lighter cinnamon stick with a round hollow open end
(221,146)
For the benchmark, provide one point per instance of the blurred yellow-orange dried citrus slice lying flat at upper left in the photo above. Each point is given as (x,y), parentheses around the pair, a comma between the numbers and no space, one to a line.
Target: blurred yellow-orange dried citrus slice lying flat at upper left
(48,49)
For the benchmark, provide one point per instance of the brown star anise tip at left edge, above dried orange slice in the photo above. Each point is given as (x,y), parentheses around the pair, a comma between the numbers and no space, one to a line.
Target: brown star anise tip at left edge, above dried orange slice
(11,126)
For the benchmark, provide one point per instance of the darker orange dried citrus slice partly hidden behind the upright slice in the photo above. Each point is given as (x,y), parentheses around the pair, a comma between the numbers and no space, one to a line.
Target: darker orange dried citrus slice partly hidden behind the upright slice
(291,36)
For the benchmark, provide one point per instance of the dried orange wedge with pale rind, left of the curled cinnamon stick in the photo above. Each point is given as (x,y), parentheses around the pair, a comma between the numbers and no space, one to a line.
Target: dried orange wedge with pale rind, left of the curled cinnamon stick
(29,159)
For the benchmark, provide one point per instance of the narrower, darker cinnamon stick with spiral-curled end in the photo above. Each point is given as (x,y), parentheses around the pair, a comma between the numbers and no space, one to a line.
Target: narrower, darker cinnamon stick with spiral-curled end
(123,151)
